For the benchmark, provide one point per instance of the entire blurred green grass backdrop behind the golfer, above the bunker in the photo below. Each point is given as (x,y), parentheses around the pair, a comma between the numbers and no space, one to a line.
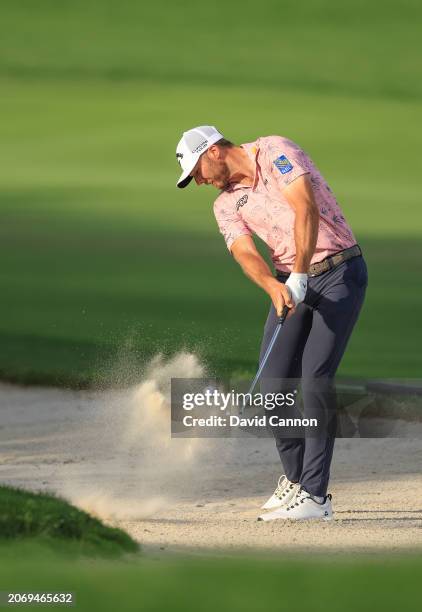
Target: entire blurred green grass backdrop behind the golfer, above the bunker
(103,259)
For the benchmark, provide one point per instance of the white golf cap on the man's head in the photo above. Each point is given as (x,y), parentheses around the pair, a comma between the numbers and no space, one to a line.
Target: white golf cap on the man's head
(193,143)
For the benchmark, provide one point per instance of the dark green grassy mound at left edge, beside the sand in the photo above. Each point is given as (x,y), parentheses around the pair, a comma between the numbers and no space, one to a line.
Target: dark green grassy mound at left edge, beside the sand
(44,519)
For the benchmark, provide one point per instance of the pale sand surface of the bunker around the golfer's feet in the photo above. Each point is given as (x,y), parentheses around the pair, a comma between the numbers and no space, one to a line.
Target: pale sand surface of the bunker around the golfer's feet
(105,453)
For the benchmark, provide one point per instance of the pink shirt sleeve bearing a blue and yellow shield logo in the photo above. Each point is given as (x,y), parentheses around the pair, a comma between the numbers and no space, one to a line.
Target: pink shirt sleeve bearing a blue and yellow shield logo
(286,160)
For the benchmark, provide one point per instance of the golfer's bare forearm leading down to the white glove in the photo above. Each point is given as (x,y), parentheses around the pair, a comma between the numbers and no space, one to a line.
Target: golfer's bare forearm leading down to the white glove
(306,234)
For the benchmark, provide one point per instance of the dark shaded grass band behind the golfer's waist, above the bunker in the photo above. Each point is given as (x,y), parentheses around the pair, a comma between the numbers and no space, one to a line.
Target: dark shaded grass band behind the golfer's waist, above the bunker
(202,304)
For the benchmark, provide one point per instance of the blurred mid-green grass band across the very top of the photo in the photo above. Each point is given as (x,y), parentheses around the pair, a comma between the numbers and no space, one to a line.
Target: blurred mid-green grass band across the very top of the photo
(349,47)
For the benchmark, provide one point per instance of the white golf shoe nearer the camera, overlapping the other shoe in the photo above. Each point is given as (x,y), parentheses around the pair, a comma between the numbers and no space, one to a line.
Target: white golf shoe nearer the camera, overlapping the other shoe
(302,507)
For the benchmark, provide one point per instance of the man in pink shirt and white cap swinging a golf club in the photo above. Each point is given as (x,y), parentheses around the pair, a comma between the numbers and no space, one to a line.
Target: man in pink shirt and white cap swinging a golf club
(271,188)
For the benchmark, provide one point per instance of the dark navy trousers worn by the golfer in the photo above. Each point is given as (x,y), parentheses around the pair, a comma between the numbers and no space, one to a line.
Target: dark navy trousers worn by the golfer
(310,347)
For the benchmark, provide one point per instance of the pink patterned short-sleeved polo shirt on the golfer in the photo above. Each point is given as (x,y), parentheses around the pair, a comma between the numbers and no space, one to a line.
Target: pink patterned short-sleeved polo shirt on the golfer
(264,211)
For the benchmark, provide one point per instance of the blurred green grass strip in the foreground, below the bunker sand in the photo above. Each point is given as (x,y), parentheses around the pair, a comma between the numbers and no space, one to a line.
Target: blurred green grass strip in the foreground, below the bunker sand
(218,583)
